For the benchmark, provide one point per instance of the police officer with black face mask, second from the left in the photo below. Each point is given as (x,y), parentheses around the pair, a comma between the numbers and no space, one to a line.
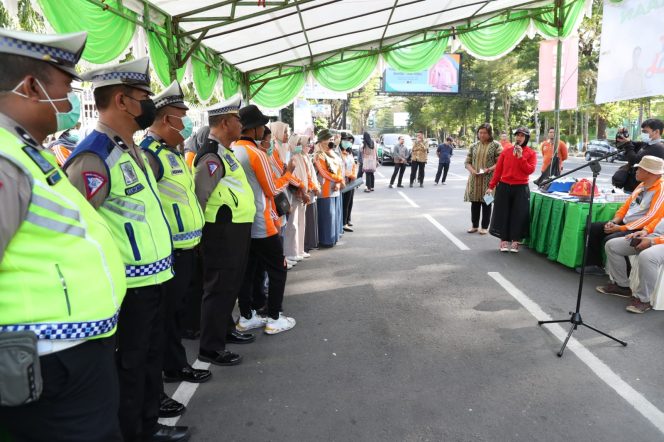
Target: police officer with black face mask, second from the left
(114,175)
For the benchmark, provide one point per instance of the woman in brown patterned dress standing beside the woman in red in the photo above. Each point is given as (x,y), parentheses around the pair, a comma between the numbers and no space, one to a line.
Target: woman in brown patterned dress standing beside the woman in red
(480,163)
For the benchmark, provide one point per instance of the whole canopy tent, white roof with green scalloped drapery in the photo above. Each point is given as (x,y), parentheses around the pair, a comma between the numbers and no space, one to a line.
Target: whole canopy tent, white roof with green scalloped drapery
(266,52)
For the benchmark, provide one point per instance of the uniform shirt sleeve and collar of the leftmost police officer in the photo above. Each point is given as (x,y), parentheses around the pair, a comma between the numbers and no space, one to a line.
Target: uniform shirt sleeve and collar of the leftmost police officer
(15,189)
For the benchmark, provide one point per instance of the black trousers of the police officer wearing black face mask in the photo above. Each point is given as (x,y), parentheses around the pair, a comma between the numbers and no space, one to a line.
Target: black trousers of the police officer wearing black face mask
(140,360)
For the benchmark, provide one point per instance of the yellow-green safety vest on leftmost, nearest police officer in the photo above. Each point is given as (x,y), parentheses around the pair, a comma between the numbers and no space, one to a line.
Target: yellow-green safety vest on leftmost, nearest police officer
(46,270)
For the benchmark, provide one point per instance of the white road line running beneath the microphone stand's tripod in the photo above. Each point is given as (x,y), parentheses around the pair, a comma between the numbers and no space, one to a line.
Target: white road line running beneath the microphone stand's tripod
(624,390)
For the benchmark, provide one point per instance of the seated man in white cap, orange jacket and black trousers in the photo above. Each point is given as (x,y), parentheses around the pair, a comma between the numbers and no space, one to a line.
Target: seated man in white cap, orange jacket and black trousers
(644,206)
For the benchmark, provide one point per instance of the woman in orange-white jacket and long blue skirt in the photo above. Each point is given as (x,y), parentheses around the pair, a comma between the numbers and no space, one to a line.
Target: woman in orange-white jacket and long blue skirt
(331,180)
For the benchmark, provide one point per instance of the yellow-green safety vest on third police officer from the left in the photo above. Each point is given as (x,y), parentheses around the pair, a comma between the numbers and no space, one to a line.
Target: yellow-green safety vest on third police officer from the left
(178,197)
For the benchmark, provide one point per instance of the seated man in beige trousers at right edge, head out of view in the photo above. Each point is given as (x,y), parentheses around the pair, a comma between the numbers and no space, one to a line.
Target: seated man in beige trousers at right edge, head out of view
(649,245)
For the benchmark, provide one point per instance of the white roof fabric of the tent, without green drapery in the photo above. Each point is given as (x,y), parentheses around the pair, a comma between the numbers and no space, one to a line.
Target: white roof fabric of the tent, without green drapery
(299,32)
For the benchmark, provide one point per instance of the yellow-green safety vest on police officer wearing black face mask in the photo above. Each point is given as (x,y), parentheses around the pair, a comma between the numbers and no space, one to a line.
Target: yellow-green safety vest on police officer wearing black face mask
(134,214)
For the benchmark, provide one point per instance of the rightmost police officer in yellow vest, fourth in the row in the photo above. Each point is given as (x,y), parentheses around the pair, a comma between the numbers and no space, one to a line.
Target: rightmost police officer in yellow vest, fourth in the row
(228,203)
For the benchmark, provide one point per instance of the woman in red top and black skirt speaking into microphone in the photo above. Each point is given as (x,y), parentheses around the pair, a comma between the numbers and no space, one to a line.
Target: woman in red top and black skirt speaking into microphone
(511,212)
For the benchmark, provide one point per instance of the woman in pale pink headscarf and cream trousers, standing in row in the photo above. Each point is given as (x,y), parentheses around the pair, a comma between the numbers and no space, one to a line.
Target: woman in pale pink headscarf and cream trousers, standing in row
(296,224)
